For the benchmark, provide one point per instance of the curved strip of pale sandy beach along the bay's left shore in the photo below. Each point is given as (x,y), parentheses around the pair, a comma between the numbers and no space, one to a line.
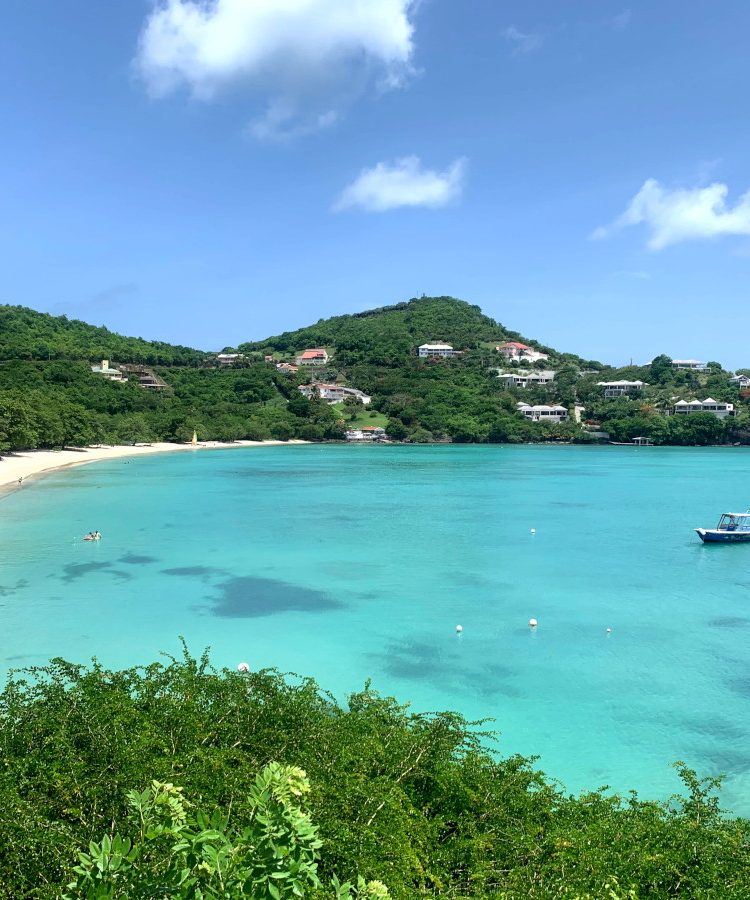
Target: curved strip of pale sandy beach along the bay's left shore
(31,463)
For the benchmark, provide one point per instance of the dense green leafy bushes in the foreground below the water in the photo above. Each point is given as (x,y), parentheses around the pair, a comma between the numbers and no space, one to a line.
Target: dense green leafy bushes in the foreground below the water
(89,757)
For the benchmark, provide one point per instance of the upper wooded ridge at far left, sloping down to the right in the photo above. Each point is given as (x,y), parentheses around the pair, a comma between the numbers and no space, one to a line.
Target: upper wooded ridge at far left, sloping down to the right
(27,334)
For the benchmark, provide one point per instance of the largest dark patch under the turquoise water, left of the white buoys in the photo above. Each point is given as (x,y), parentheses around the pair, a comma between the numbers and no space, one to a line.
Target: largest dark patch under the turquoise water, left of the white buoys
(246,597)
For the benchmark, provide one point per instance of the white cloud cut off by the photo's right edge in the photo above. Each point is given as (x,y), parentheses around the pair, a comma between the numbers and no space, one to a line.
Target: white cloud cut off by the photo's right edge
(682,214)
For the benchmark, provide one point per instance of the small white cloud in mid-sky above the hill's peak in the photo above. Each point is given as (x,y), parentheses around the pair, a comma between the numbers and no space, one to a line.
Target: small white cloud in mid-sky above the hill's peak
(403,183)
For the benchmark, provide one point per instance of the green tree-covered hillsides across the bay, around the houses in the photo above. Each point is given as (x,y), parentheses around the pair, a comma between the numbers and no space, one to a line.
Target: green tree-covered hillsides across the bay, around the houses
(49,396)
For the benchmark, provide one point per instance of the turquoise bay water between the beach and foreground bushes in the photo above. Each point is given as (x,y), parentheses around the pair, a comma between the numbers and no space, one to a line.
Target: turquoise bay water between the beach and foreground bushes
(353,562)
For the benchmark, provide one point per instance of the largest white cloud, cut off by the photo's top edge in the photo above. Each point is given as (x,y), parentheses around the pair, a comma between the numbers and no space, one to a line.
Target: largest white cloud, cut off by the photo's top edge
(207,45)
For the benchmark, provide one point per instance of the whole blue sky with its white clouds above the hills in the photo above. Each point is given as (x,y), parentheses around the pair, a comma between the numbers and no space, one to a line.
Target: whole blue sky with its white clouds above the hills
(208,173)
